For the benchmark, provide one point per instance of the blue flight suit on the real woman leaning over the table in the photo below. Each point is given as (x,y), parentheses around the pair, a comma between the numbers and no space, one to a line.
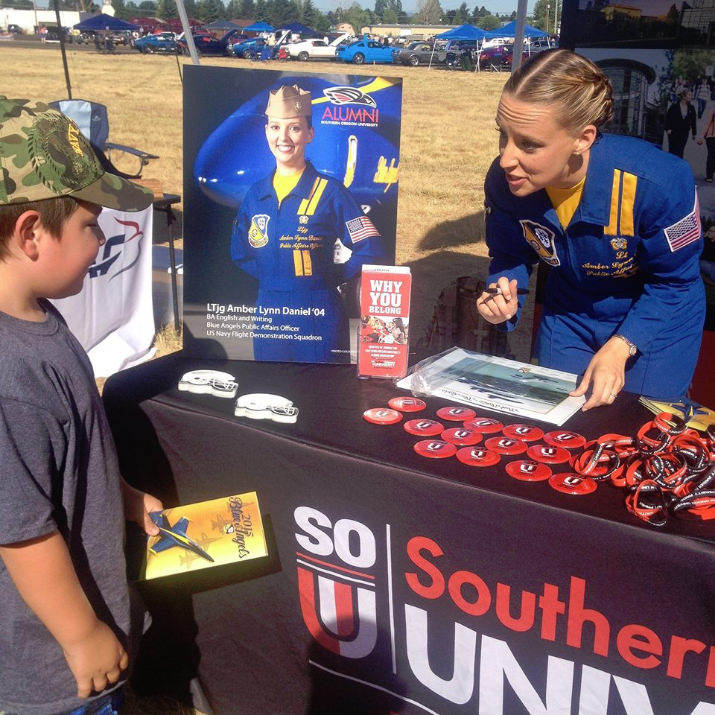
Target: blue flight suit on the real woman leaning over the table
(627,263)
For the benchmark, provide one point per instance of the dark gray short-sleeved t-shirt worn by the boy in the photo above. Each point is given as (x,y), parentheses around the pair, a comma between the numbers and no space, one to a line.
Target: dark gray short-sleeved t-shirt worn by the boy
(58,471)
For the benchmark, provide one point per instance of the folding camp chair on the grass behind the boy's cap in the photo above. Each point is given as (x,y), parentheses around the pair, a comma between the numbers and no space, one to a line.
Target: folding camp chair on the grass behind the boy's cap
(92,119)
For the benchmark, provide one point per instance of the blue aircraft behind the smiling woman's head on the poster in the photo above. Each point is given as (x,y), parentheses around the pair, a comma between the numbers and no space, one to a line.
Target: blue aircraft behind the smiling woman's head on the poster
(357,125)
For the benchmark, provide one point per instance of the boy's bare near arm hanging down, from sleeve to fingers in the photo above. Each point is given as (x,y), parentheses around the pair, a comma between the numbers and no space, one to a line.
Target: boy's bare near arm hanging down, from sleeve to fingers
(44,575)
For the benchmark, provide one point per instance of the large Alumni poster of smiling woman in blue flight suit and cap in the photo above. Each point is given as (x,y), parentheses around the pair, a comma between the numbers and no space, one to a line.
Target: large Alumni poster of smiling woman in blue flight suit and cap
(290,184)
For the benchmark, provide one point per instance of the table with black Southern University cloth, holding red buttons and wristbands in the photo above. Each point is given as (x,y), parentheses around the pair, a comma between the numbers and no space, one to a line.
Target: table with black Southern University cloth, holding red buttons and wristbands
(402,584)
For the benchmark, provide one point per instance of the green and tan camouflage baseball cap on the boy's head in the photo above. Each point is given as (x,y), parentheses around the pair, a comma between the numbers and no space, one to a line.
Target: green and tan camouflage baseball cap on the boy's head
(44,155)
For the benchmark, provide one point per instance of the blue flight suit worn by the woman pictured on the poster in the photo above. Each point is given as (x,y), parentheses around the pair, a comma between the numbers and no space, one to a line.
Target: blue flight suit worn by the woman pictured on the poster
(290,250)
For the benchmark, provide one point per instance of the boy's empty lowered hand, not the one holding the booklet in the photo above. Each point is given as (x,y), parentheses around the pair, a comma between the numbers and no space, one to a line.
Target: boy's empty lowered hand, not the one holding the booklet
(96,661)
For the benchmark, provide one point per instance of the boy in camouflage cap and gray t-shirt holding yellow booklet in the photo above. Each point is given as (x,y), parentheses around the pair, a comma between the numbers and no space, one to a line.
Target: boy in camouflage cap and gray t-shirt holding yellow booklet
(67,626)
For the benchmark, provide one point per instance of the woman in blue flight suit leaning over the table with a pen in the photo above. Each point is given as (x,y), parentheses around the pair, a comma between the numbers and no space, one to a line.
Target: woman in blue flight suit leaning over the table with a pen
(616,218)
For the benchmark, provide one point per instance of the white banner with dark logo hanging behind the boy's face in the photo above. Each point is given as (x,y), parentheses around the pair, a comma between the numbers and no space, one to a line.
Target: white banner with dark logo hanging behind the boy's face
(112,316)
